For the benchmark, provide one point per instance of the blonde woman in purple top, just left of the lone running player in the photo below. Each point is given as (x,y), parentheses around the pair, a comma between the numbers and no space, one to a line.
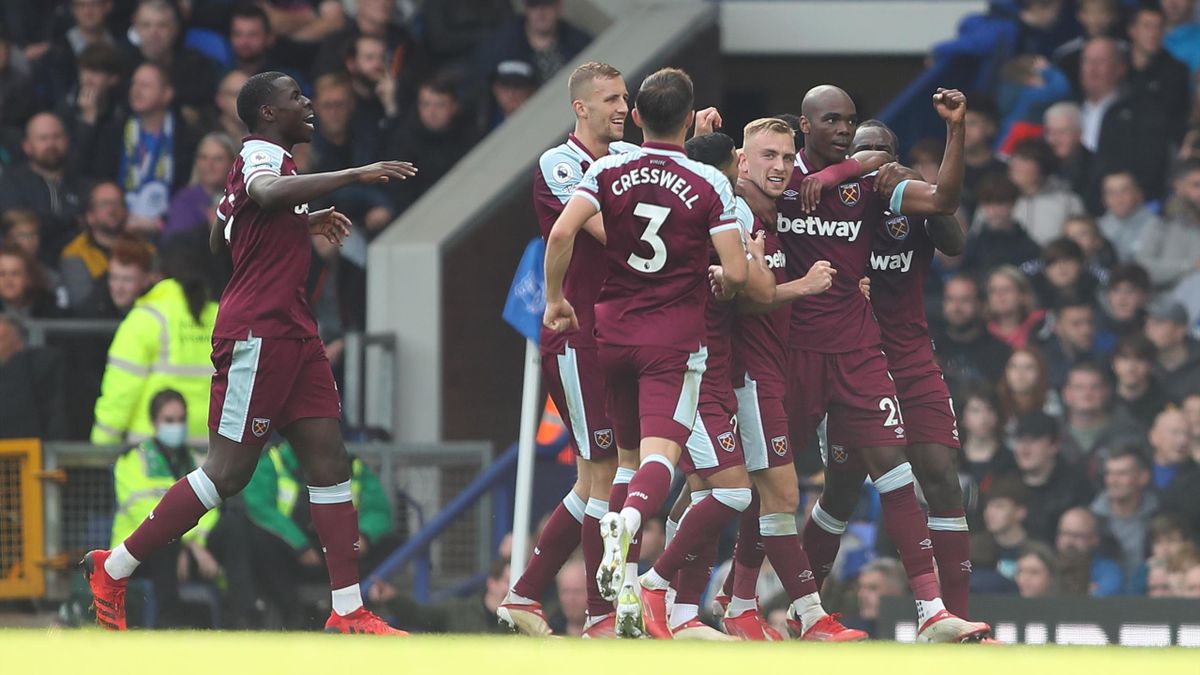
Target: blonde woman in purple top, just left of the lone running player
(194,208)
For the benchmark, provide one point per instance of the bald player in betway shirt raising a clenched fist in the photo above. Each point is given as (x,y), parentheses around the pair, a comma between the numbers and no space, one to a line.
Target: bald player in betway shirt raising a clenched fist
(836,363)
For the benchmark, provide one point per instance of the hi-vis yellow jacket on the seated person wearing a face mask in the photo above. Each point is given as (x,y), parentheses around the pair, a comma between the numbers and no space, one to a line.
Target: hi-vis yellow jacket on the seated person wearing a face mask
(141,477)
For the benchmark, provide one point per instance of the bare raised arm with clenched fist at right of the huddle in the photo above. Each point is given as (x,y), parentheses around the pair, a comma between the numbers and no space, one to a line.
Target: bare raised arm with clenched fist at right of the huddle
(916,199)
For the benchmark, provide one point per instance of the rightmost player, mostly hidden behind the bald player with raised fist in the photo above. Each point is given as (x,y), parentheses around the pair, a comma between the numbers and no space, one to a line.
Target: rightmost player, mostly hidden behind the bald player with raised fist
(902,255)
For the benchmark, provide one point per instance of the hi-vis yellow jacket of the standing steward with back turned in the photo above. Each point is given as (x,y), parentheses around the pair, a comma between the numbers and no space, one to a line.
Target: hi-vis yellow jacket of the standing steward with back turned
(159,347)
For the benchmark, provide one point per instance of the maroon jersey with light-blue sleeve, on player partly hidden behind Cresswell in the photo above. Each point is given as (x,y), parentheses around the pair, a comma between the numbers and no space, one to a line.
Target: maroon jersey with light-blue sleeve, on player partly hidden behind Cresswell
(560,171)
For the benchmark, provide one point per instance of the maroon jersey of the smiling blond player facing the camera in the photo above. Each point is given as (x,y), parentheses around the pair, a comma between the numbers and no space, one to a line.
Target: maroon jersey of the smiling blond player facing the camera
(760,342)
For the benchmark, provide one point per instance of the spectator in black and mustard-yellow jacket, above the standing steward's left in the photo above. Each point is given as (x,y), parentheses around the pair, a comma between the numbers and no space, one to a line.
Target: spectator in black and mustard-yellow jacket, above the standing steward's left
(86,259)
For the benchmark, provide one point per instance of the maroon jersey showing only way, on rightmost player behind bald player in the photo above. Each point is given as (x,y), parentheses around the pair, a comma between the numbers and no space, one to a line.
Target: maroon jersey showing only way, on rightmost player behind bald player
(902,255)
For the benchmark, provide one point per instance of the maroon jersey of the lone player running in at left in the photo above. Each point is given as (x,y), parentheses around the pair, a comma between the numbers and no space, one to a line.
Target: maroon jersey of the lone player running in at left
(272,252)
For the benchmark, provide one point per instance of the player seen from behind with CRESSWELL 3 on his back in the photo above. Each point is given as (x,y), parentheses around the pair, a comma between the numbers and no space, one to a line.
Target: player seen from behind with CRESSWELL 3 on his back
(661,210)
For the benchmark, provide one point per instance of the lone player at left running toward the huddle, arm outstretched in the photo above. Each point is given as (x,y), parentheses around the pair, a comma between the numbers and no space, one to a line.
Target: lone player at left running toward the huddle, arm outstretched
(272,371)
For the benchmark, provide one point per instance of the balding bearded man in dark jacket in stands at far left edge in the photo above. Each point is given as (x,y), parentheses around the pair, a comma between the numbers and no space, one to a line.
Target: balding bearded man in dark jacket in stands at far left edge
(45,184)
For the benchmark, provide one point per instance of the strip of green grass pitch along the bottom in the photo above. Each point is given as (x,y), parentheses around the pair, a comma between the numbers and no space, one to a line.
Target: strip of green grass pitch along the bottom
(92,652)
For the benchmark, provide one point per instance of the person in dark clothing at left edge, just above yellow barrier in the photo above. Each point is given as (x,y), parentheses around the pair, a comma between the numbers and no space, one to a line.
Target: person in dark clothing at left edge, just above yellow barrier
(32,381)
